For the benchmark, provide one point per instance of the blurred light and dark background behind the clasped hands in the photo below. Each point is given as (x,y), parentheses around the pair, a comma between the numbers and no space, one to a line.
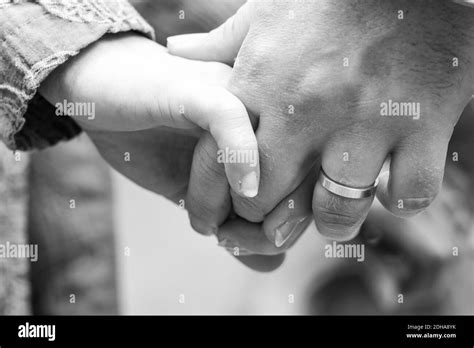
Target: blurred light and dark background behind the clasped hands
(126,250)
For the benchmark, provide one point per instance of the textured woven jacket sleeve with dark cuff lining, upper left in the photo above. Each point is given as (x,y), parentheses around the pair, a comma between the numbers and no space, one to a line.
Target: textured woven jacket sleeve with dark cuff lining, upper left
(35,38)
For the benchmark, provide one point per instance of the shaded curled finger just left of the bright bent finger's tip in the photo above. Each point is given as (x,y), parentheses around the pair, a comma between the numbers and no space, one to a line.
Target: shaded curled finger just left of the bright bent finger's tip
(208,200)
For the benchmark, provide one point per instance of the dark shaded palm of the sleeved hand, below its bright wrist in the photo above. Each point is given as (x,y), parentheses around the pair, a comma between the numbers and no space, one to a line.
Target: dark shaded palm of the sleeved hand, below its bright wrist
(157,159)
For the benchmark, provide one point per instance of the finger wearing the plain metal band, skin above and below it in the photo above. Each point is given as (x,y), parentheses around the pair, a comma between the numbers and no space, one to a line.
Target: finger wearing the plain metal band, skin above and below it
(350,163)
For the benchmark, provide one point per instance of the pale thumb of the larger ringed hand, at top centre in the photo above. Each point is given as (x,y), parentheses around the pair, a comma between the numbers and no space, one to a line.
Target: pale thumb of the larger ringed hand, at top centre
(220,45)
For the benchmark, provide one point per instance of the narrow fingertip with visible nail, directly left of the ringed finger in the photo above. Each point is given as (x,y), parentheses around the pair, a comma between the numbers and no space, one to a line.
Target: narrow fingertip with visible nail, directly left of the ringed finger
(290,218)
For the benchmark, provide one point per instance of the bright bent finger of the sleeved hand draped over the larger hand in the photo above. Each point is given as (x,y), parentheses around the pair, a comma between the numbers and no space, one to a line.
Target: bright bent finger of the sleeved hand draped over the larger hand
(217,110)
